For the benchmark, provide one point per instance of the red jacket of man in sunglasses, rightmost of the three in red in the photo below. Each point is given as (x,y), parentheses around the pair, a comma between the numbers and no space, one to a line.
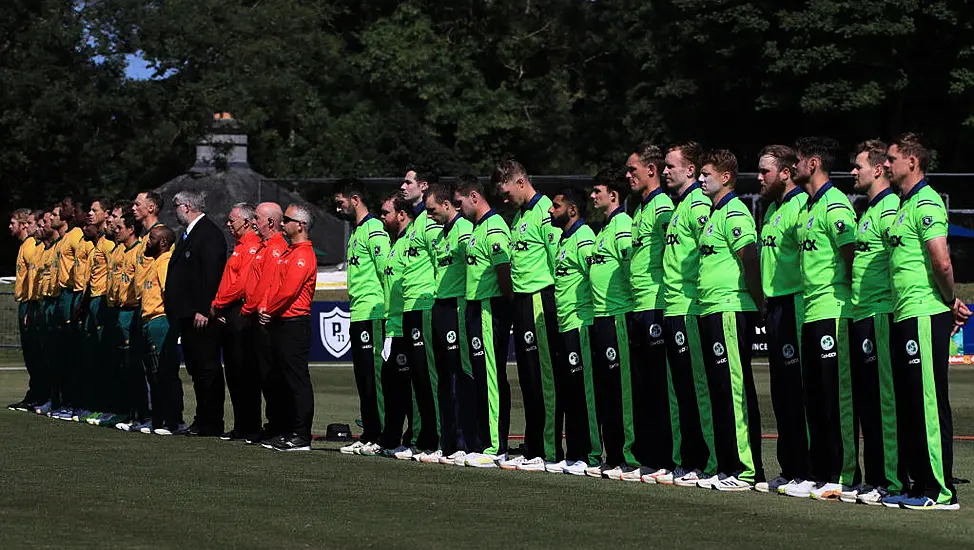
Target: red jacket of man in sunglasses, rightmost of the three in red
(293,289)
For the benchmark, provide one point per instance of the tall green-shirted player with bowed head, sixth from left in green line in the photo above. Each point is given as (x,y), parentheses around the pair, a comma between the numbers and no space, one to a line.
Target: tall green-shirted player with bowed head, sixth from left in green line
(533,247)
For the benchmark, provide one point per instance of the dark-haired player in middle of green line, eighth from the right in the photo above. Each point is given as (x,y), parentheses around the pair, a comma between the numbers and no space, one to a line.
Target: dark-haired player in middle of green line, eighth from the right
(612,300)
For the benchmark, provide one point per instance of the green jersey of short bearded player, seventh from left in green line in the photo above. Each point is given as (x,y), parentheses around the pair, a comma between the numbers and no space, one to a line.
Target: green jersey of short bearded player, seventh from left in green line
(573,291)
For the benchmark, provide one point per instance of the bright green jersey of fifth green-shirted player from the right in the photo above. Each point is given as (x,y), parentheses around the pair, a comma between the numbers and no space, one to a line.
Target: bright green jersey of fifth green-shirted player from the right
(722,286)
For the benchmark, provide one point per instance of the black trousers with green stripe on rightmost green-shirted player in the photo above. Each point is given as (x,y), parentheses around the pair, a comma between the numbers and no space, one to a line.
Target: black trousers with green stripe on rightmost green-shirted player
(920,356)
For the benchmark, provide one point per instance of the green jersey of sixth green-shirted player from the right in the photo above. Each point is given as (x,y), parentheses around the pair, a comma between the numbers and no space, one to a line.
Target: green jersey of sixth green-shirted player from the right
(681,258)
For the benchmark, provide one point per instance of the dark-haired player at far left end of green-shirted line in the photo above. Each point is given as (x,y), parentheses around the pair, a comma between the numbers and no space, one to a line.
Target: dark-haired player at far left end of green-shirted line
(368,248)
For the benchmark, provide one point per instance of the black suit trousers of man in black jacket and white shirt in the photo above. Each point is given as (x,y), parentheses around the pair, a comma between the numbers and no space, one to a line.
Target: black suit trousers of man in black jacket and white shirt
(201,351)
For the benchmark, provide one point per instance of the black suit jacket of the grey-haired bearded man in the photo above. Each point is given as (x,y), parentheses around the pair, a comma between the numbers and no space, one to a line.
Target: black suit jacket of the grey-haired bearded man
(195,269)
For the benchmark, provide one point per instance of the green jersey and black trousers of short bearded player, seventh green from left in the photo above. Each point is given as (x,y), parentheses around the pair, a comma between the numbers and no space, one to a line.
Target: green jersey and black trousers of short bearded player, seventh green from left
(573,298)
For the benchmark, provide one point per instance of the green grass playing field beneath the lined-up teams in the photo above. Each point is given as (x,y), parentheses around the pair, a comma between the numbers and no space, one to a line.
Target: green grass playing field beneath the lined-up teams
(64,484)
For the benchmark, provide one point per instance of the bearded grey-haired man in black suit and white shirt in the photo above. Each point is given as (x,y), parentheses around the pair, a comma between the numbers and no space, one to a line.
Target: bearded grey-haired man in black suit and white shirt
(194,276)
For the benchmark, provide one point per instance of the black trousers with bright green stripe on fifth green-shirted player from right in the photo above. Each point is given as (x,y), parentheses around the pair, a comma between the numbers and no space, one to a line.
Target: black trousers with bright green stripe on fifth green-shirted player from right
(726,339)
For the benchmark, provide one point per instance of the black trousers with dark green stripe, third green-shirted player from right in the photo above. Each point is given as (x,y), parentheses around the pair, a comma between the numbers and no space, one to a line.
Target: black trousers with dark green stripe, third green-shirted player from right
(829,408)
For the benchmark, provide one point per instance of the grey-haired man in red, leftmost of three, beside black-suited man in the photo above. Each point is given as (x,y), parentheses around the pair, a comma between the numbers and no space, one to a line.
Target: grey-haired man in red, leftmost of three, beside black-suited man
(243,379)
